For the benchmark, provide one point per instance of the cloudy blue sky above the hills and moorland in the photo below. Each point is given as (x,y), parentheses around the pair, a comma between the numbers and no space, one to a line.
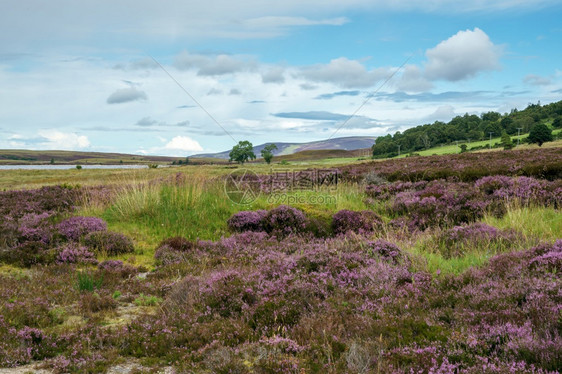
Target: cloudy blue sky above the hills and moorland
(185,77)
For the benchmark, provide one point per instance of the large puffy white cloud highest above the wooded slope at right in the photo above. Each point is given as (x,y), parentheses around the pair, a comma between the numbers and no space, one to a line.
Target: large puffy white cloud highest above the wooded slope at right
(462,56)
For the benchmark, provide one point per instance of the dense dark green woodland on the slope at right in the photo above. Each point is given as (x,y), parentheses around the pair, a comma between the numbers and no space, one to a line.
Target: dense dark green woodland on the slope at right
(468,128)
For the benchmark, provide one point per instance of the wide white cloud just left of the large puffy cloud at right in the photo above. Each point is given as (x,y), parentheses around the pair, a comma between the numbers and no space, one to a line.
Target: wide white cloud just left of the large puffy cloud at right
(344,73)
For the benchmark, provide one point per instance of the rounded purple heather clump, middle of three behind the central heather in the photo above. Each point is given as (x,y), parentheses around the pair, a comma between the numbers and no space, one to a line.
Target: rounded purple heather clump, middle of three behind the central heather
(284,220)
